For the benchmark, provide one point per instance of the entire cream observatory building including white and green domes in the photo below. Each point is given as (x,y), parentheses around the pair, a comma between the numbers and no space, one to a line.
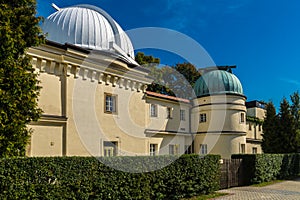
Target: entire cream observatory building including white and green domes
(95,102)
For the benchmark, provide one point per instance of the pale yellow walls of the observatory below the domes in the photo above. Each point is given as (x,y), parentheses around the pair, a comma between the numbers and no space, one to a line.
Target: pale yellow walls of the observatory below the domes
(77,121)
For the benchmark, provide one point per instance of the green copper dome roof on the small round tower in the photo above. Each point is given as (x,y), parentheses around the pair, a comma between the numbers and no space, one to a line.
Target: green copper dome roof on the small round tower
(218,82)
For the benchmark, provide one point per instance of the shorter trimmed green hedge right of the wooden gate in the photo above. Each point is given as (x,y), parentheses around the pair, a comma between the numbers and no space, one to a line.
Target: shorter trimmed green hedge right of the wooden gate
(259,168)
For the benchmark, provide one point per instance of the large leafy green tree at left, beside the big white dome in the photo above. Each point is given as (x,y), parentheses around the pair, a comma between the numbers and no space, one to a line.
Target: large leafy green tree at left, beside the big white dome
(19,88)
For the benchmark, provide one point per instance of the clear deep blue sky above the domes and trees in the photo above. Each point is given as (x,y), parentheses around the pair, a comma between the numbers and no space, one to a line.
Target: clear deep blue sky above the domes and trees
(261,37)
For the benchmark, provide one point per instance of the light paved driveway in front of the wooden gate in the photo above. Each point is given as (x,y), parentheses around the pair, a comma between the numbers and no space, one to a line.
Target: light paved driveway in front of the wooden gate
(287,190)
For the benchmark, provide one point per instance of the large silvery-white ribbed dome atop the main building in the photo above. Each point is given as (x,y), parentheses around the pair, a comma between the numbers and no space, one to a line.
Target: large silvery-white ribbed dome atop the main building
(88,27)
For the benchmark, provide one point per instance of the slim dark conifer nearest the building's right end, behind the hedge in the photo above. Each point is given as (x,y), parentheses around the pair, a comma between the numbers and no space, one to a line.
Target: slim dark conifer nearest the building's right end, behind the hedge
(270,141)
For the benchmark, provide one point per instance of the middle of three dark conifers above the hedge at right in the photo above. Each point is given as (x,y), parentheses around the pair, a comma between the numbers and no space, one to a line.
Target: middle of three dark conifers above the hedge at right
(287,131)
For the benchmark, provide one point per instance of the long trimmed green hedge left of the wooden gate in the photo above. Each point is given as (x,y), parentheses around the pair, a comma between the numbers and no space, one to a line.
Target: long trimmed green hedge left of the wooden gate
(87,178)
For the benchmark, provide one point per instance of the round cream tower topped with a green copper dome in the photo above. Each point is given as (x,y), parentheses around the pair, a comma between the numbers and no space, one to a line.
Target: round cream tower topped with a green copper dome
(219,114)
